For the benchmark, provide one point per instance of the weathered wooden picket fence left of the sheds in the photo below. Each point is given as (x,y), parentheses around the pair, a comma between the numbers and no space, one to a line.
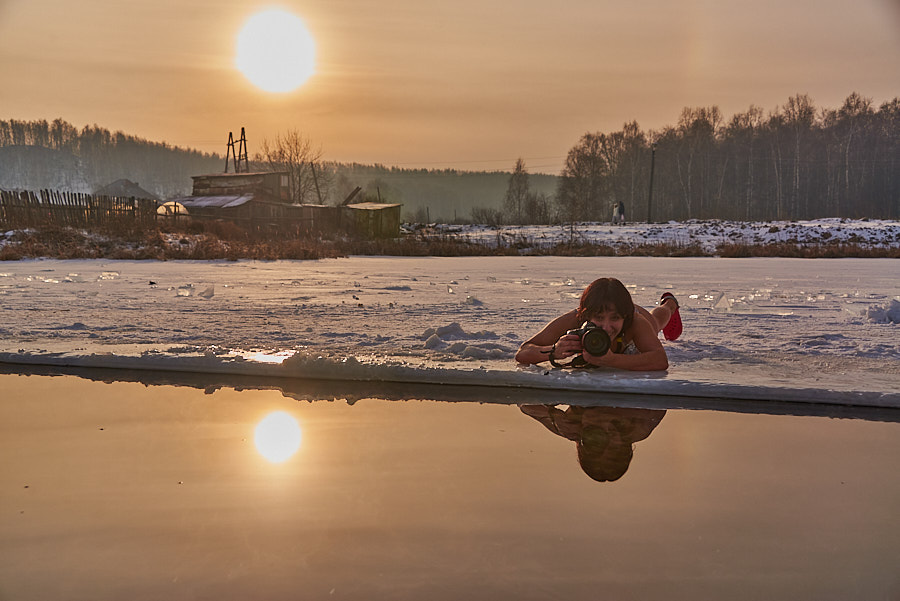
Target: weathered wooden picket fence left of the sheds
(49,207)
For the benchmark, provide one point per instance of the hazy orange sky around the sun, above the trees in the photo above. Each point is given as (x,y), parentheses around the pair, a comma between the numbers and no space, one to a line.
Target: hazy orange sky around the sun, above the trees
(468,84)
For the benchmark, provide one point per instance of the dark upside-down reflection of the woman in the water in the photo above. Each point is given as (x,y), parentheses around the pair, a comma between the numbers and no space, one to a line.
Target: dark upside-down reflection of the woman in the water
(603,435)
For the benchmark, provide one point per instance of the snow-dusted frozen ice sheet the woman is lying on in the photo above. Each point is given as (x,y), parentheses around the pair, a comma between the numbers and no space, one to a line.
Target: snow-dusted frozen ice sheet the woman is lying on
(772,327)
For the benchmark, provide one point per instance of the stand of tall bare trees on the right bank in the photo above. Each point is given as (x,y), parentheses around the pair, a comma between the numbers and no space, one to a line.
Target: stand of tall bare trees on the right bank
(796,162)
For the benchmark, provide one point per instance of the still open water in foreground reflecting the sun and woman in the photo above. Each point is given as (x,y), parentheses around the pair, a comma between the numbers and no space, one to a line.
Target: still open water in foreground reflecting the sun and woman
(121,490)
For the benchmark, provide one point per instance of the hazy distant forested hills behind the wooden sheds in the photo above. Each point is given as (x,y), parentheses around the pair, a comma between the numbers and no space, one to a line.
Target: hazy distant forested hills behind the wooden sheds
(56,155)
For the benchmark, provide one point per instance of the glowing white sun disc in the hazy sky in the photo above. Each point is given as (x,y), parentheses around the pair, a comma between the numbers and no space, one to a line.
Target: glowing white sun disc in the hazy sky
(275,51)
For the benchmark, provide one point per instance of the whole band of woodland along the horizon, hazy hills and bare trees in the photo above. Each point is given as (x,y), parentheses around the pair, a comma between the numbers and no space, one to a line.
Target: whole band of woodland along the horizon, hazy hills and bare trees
(796,161)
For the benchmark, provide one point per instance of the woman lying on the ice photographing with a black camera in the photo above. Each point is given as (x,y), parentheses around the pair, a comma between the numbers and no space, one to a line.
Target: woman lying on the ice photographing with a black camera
(633,331)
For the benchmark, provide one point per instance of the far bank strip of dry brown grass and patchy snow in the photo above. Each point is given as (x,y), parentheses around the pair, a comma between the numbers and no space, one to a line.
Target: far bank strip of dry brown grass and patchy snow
(823,238)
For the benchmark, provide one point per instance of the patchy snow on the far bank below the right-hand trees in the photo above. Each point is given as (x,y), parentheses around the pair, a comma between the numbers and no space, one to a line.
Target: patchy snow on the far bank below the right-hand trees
(707,234)
